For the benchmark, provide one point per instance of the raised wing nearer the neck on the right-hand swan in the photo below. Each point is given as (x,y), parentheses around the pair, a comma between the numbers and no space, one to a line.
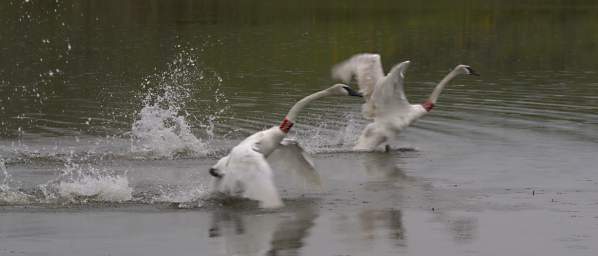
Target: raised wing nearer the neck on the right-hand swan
(389,95)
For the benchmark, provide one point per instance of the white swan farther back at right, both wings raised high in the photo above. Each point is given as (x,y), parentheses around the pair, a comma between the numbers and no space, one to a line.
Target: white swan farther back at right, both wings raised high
(386,103)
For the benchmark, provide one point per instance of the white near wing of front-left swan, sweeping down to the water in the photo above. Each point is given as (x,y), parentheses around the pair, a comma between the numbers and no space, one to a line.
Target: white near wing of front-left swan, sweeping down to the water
(249,173)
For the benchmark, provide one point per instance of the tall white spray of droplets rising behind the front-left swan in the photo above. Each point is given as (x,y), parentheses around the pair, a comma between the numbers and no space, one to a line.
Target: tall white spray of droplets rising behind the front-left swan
(162,128)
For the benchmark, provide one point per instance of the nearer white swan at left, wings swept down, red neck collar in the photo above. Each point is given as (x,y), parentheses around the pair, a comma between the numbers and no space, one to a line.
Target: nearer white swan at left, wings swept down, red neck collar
(246,172)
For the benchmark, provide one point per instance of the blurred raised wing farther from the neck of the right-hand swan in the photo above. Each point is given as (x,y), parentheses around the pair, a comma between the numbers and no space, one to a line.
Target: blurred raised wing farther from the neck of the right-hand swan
(366,68)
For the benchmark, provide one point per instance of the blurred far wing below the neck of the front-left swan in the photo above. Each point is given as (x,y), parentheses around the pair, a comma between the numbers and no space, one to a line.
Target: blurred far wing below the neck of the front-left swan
(291,157)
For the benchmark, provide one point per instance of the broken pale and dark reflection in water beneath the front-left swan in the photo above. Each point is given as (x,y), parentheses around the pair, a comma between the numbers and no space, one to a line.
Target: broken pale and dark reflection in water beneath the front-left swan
(269,234)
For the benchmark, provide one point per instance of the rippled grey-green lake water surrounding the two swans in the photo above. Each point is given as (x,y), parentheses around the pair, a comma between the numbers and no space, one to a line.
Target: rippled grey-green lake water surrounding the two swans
(111,114)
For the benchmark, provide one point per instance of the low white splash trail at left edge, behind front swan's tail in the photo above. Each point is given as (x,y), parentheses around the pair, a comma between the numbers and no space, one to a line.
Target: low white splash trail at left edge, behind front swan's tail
(85,185)
